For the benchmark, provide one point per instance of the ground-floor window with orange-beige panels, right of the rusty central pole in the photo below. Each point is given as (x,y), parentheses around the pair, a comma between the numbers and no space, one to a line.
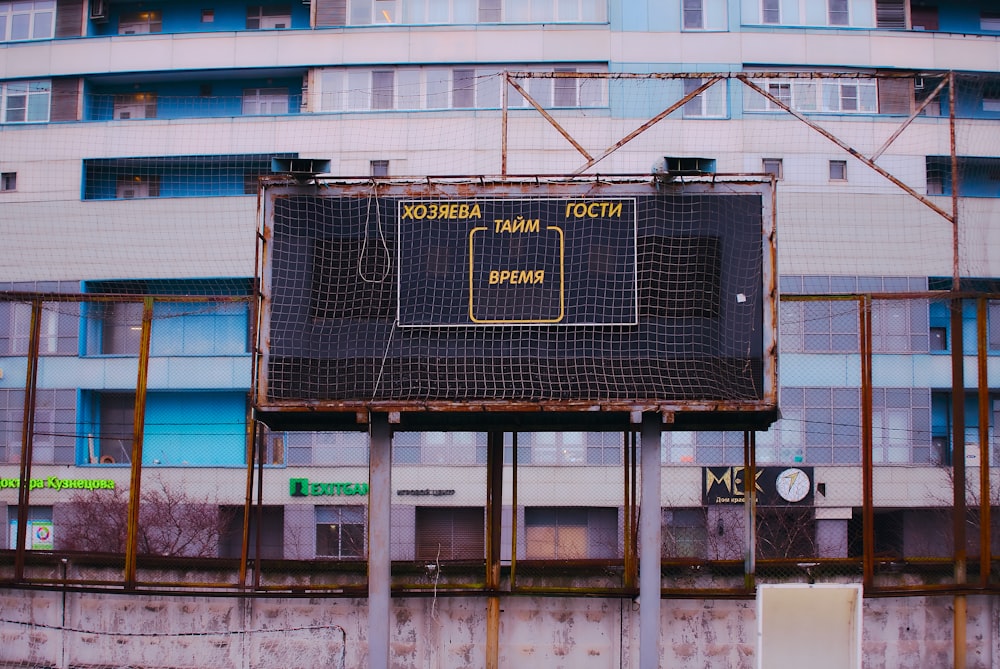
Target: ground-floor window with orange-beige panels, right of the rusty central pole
(570,533)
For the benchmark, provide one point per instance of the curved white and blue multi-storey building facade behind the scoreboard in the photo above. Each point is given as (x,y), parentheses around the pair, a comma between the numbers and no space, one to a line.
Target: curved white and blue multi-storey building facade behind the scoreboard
(133,137)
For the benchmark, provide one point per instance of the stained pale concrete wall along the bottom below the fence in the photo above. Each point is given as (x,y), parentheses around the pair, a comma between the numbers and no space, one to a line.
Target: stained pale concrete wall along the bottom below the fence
(88,629)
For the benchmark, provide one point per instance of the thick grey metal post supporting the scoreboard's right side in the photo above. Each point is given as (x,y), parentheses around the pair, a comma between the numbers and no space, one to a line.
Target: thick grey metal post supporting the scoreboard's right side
(649,542)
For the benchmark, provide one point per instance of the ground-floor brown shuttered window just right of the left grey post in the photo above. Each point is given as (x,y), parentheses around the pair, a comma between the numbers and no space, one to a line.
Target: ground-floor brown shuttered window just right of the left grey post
(450,533)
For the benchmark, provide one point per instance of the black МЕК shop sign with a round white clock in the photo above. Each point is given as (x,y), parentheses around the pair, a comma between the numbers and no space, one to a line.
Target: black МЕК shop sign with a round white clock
(774,485)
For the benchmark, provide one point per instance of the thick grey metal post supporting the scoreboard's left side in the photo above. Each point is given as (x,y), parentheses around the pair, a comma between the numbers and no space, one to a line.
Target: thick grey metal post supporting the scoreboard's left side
(379,523)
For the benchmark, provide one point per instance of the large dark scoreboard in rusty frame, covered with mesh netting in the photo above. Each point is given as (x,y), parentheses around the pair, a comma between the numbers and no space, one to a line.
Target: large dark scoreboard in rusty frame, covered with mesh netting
(510,292)
